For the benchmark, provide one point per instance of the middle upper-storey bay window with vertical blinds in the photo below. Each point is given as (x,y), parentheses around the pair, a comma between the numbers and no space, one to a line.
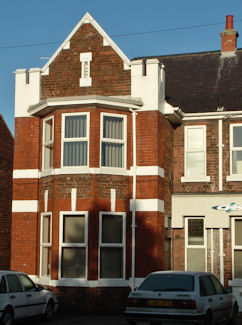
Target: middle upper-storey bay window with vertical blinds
(75,139)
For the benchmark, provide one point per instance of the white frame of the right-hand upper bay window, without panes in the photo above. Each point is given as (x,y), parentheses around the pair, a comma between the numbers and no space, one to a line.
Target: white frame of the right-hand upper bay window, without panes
(123,141)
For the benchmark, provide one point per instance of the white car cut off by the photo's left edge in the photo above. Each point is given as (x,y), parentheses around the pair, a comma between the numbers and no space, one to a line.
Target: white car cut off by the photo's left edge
(21,298)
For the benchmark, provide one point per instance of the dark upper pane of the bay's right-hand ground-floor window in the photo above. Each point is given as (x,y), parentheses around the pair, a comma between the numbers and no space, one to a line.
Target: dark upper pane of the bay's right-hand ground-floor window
(112,229)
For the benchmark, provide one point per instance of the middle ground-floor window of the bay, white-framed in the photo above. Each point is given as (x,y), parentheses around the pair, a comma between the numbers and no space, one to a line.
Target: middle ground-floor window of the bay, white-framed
(73,245)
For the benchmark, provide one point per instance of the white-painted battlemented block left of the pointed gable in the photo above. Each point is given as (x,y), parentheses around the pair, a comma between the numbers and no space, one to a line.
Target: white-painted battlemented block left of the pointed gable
(26,94)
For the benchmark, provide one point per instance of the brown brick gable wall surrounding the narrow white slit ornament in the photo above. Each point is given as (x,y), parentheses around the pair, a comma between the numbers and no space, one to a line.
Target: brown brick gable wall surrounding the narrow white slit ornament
(107,70)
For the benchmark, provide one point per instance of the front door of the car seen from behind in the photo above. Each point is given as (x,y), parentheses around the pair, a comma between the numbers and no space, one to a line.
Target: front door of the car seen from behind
(225,301)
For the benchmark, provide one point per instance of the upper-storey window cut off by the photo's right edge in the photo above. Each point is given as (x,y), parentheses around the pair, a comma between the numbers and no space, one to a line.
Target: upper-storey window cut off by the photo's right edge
(236,149)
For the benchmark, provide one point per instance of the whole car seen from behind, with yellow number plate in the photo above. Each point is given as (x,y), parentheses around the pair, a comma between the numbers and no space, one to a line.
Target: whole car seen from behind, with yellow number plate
(181,297)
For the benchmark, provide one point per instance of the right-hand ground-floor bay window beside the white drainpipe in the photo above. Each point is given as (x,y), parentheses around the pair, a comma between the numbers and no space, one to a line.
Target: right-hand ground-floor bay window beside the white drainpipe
(111,245)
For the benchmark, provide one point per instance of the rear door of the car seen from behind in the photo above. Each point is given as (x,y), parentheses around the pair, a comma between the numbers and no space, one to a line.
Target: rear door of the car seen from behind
(209,297)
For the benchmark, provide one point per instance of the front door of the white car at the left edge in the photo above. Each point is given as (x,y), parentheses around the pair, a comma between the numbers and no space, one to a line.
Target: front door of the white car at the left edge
(34,299)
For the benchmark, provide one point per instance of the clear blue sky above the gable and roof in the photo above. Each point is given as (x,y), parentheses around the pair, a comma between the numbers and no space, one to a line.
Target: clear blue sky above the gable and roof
(26,22)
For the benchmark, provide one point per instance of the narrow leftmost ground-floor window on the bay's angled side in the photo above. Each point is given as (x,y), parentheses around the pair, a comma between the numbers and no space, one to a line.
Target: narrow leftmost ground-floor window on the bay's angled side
(45,244)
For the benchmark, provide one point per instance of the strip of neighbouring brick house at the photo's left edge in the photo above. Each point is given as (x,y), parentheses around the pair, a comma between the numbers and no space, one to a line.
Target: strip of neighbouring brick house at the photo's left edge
(6,180)
